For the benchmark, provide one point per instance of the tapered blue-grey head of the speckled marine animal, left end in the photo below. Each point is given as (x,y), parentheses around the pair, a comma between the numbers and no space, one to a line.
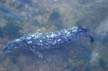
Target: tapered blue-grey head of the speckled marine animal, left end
(16,46)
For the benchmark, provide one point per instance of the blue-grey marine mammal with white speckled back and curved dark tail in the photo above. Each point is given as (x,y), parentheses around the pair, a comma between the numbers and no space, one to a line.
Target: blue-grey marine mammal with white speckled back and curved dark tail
(46,41)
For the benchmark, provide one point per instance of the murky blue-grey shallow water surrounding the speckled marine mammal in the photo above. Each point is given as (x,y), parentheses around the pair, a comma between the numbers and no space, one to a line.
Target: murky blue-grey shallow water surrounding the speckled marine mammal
(22,17)
